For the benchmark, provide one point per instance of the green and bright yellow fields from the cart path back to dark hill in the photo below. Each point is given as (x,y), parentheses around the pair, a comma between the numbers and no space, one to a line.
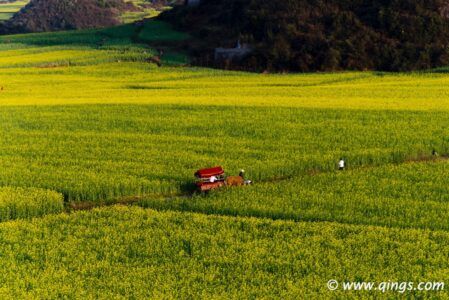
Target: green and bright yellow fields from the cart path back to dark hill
(167,122)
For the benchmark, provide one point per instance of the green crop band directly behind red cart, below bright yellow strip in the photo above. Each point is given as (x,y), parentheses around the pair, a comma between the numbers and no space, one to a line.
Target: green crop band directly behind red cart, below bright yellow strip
(127,150)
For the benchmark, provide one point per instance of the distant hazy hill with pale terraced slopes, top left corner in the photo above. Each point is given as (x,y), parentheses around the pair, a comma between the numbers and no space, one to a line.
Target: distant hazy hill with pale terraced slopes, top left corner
(57,15)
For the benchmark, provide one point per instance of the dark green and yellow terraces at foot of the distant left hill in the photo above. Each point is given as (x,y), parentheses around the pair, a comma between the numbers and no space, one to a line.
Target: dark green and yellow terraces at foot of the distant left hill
(87,47)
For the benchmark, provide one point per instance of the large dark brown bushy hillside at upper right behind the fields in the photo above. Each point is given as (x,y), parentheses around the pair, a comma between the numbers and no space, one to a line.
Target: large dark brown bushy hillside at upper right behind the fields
(307,35)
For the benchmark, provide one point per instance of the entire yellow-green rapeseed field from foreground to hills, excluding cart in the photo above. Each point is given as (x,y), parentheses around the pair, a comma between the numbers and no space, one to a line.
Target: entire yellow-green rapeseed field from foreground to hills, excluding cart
(87,118)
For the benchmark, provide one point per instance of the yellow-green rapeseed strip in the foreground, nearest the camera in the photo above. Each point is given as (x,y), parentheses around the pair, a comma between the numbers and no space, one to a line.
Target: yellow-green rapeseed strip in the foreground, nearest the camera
(122,252)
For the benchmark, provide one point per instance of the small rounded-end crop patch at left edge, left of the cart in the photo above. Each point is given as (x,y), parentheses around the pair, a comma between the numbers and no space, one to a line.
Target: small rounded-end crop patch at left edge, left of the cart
(21,203)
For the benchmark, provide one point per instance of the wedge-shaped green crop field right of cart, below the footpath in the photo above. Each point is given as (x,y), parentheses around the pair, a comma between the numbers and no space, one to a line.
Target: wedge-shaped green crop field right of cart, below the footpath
(414,195)
